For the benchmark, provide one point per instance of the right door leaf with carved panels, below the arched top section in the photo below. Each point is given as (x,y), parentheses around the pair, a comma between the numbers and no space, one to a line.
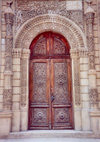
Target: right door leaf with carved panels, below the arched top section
(61,105)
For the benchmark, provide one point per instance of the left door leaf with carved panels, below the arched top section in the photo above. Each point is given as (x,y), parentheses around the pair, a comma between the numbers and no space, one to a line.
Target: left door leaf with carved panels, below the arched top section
(39,106)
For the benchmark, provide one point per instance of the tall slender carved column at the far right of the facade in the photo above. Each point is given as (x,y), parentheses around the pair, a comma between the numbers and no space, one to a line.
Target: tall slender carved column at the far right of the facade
(90,40)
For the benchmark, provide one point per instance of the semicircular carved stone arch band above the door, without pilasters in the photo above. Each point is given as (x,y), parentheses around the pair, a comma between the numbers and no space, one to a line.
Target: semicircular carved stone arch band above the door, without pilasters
(50,22)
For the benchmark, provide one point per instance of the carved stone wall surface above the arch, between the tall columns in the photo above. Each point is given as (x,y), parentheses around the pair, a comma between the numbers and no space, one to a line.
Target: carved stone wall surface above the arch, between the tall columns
(27,9)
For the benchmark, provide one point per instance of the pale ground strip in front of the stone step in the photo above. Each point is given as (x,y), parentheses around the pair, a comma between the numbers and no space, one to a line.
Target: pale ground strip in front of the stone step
(50,140)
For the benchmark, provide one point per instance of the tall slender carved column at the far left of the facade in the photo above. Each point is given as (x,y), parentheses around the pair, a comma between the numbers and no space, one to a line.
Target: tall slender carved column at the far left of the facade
(9,15)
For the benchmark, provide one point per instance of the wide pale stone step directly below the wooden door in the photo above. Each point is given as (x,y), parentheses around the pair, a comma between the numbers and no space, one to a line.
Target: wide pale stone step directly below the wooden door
(52,134)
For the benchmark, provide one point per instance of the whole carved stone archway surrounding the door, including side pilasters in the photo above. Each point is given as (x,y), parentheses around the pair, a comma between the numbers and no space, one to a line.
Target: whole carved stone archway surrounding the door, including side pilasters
(77,41)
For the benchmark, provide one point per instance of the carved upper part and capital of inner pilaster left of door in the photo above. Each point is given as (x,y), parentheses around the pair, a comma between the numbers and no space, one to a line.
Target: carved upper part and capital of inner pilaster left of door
(24,76)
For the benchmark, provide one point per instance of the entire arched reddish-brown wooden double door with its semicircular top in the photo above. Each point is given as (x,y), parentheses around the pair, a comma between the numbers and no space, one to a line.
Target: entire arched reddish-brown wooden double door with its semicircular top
(50,101)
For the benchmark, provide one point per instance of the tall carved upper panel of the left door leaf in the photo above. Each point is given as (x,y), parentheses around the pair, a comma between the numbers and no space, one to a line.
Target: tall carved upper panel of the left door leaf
(39,82)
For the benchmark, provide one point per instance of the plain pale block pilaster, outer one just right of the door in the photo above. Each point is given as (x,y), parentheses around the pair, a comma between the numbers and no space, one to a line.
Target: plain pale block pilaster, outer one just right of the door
(83,54)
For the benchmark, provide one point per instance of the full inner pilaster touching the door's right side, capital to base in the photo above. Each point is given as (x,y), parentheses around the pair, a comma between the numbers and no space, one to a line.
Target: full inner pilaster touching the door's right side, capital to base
(76,88)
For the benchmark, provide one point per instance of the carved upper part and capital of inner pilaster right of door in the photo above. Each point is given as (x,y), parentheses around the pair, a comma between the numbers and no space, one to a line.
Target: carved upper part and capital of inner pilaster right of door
(75,57)
